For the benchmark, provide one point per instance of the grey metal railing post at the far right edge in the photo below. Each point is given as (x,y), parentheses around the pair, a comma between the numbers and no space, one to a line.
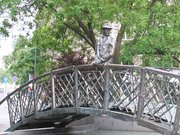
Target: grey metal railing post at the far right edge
(177,117)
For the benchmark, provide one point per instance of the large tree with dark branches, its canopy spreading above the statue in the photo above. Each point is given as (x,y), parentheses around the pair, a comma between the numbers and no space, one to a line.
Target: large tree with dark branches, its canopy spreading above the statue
(152,24)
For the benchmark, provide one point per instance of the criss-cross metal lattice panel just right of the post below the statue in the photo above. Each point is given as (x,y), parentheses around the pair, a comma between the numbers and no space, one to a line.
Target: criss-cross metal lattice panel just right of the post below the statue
(124,89)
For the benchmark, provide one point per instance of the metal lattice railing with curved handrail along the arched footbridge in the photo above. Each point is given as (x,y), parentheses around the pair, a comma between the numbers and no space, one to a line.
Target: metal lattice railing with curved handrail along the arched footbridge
(131,77)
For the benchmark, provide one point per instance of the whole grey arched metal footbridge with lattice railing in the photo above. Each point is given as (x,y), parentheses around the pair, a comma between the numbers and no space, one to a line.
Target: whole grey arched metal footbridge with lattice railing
(146,95)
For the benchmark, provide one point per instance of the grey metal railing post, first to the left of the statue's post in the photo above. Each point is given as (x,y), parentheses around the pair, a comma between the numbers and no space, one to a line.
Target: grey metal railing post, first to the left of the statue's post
(77,104)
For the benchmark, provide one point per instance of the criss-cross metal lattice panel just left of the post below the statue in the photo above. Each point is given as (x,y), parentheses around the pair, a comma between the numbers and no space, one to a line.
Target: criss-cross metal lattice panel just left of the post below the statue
(90,86)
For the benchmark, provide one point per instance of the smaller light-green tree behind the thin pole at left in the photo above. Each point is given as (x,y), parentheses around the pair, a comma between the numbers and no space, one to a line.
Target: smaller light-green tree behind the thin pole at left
(21,61)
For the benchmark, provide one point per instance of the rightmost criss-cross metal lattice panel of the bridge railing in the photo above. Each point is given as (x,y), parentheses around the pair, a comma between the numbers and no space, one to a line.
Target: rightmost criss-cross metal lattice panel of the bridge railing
(160,97)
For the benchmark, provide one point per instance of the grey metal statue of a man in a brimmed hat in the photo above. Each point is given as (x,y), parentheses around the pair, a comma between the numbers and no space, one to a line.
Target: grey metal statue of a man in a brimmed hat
(104,48)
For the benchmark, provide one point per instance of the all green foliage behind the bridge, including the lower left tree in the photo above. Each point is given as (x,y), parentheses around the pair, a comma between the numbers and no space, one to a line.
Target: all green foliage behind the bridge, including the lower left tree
(63,26)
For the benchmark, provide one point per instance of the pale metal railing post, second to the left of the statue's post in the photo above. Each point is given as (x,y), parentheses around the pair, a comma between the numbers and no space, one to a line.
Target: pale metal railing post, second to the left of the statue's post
(53,91)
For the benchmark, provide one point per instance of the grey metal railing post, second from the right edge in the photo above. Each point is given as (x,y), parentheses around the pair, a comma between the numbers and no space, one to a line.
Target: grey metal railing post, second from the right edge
(140,96)
